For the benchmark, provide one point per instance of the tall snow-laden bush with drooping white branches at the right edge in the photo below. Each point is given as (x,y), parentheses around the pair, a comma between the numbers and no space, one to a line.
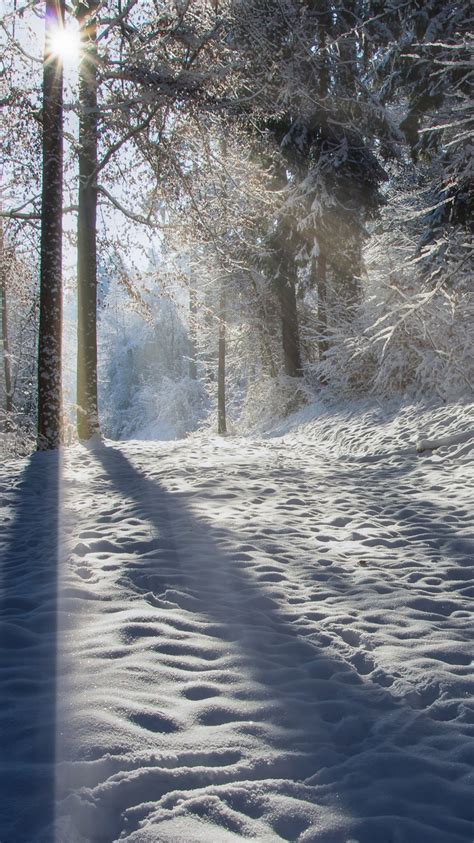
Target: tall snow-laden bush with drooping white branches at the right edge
(412,333)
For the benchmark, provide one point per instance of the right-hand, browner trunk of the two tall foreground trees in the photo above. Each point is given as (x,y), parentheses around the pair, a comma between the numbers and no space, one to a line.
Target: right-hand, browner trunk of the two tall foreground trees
(87,403)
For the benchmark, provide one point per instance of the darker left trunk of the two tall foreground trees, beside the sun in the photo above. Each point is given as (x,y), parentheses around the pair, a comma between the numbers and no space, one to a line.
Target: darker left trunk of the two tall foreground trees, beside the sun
(50,321)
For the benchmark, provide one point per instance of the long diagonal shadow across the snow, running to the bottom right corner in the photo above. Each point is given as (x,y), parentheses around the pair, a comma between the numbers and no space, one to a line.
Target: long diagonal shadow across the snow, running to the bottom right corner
(334,728)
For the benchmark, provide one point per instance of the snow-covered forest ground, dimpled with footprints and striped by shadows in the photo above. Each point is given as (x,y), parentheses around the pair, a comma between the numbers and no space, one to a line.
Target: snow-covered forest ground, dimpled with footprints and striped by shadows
(226,639)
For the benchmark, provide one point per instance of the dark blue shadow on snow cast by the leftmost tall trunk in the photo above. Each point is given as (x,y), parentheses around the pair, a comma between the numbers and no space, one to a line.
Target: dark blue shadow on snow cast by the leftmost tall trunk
(28,647)
